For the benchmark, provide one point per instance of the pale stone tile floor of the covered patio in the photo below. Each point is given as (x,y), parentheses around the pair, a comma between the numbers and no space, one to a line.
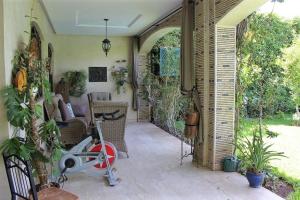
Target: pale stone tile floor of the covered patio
(153,171)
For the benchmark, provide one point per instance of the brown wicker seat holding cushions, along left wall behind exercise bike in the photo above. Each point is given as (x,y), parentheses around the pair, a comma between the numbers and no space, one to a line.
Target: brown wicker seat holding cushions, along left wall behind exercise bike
(72,131)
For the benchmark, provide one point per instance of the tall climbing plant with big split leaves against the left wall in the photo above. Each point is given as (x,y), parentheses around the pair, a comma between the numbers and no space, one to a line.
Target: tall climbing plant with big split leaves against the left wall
(24,112)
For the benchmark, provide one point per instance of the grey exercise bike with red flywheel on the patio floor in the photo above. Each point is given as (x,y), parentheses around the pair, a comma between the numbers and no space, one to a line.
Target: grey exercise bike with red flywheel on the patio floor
(77,159)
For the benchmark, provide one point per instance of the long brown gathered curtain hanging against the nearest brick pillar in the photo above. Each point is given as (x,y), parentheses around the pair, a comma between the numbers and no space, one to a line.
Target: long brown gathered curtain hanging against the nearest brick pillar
(187,47)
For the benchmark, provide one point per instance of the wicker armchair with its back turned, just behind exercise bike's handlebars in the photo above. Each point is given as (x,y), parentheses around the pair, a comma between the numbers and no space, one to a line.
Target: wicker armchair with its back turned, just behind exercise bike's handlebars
(113,131)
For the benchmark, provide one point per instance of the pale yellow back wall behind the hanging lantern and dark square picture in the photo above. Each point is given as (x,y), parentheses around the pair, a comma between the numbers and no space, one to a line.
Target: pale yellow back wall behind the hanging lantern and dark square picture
(82,52)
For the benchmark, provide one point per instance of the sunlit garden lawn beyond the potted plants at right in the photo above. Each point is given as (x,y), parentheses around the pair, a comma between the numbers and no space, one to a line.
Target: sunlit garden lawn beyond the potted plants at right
(287,141)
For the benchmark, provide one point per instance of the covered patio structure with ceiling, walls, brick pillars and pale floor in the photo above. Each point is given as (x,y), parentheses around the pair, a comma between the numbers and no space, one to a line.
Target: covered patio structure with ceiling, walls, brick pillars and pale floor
(153,169)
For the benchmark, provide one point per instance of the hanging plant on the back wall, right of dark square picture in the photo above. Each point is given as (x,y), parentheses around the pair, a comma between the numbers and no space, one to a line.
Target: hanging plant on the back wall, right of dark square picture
(120,76)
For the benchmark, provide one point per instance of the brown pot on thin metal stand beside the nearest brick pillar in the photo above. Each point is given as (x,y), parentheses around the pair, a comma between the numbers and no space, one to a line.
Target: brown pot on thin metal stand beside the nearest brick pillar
(191,125)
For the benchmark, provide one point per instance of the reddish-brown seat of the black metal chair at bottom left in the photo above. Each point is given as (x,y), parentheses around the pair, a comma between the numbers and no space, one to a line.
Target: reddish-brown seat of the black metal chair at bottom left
(54,193)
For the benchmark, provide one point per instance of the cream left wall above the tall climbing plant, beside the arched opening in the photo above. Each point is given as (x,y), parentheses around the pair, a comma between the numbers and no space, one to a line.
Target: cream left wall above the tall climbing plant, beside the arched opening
(15,24)
